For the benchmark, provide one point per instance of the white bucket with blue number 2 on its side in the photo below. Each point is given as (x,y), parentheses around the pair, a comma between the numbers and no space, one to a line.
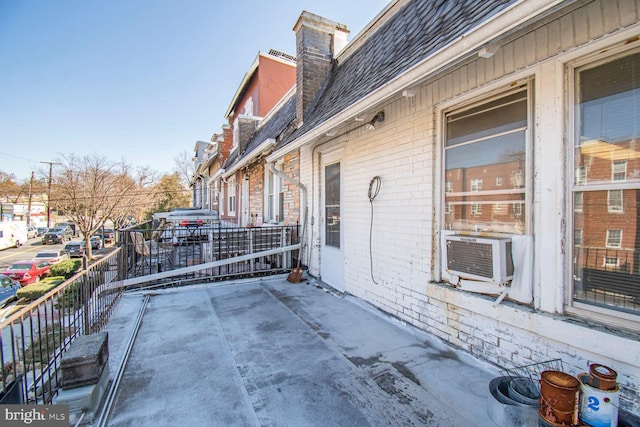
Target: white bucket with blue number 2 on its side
(598,408)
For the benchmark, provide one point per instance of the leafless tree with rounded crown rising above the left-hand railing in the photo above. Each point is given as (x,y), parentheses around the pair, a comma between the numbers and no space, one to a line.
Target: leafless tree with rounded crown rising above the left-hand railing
(89,190)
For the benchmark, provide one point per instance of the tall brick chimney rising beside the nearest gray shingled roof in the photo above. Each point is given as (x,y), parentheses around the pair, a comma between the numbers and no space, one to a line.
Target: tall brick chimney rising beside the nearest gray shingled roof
(318,41)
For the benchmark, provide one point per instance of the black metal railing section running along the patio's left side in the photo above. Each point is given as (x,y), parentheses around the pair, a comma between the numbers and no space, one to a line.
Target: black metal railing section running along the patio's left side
(35,335)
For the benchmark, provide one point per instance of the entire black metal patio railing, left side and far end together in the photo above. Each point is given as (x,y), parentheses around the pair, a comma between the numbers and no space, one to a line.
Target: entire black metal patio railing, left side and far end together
(35,335)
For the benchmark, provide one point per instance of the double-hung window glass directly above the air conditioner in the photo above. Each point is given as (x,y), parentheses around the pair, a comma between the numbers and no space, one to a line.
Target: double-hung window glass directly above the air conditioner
(485,142)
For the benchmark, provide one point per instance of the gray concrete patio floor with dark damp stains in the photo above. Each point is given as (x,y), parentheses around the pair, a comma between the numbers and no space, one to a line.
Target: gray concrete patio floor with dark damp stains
(271,353)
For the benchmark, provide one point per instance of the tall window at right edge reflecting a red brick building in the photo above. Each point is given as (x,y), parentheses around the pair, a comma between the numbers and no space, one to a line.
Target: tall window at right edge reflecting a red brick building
(606,149)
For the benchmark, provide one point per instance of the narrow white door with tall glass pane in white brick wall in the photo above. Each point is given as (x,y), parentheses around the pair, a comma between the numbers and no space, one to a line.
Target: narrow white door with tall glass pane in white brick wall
(331,227)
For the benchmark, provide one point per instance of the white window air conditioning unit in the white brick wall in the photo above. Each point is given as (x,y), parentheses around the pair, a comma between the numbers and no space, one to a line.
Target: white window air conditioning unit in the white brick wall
(485,259)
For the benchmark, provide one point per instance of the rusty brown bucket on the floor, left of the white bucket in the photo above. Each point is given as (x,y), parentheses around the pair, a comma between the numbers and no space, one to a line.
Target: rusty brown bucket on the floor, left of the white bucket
(559,397)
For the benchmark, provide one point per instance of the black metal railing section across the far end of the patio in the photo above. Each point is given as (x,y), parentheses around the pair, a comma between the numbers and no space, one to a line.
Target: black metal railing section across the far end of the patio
(147,250)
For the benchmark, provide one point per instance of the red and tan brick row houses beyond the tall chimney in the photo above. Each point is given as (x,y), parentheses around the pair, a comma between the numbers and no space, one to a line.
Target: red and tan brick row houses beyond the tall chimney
(228,178)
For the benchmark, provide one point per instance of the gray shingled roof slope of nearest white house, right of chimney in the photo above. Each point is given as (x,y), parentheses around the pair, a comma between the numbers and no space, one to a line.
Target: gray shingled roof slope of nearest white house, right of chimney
(419,29)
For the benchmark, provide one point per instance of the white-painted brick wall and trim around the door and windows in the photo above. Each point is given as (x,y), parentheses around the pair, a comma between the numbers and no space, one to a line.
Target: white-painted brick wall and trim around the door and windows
(404,151)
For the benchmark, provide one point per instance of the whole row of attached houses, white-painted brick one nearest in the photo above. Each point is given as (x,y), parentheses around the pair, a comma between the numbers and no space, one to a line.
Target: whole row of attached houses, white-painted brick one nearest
(468,167)
